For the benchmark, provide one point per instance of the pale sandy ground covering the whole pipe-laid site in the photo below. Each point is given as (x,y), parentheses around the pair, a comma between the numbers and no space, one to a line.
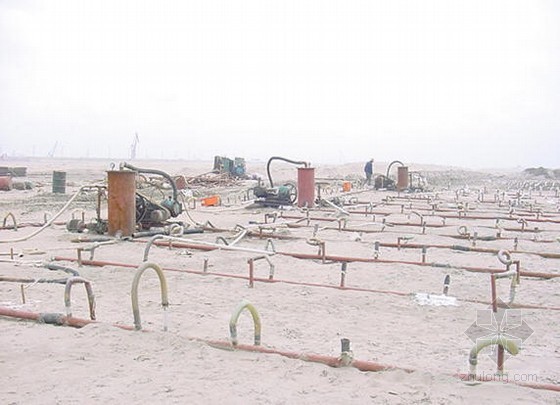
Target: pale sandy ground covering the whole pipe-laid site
(303,312)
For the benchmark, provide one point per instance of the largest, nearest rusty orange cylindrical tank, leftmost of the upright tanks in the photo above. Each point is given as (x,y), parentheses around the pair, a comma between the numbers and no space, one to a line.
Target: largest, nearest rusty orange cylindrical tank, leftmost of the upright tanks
(121,202)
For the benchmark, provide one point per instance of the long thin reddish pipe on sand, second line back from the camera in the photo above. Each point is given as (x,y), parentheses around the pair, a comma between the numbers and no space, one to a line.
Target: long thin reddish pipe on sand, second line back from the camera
(98,263)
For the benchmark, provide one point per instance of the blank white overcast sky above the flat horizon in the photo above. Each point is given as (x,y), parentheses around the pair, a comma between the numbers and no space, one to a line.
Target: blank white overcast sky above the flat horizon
(466,83)
